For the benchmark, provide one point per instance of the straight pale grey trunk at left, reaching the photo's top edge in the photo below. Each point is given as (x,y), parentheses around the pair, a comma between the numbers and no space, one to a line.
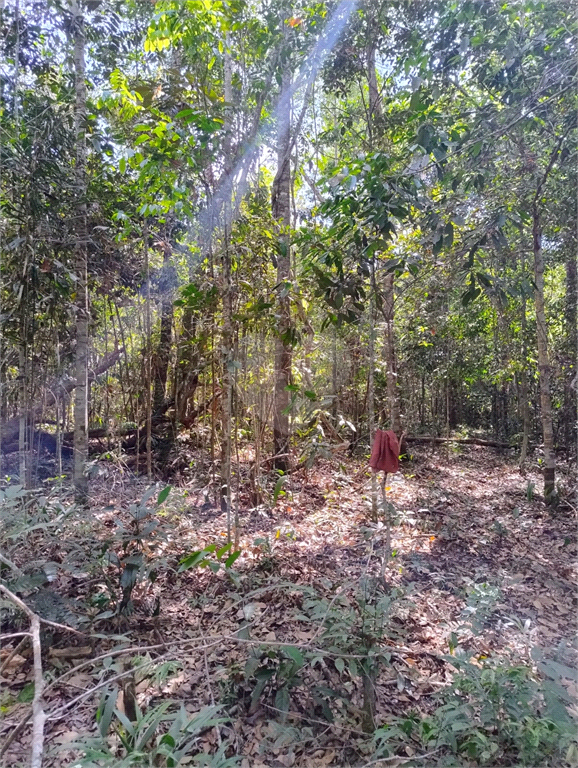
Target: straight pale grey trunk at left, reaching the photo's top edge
(81,392)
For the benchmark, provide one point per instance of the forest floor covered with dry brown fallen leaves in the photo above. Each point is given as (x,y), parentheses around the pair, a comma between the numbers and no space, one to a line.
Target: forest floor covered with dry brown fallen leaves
(478,562)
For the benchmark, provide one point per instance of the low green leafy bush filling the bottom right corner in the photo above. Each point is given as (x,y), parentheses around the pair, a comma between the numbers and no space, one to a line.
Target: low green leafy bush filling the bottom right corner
(494,713)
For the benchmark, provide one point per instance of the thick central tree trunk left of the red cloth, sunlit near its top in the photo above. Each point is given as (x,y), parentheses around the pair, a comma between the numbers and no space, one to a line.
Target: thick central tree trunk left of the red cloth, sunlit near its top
(281,209)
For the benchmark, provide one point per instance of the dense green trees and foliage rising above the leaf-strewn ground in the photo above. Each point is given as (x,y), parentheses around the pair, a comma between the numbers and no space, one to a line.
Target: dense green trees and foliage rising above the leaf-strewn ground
(272,199)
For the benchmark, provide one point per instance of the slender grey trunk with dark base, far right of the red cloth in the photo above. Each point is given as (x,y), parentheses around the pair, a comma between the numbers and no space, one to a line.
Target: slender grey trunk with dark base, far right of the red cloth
(543,360)
